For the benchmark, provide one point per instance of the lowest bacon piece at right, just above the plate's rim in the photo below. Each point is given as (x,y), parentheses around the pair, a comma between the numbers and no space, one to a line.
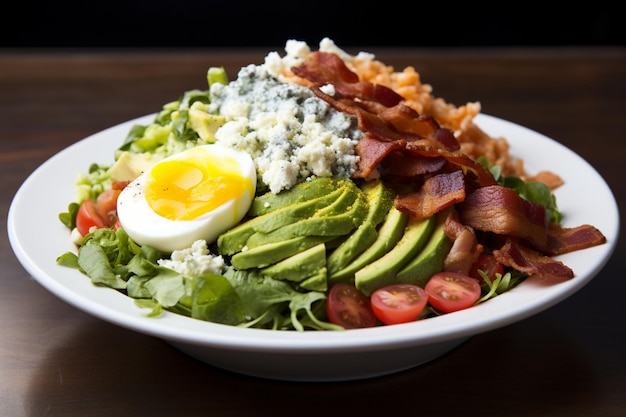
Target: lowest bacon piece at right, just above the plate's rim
(526,260)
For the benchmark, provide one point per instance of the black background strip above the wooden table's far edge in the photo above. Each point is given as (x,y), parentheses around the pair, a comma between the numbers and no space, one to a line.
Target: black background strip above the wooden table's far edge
(227,23)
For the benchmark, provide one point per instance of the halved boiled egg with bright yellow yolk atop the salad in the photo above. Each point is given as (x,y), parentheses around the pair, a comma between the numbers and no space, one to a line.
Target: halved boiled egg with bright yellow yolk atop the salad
(195,194)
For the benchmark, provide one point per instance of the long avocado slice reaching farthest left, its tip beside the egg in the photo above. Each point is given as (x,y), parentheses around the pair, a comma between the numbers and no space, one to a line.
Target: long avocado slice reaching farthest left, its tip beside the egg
(234,240)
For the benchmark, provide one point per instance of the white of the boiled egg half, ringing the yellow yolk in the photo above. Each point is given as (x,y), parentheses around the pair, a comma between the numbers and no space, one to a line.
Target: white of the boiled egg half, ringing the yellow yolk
(146,227)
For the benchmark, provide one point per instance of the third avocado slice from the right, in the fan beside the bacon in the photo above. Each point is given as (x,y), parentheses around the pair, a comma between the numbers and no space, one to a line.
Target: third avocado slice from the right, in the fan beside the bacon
(389,233)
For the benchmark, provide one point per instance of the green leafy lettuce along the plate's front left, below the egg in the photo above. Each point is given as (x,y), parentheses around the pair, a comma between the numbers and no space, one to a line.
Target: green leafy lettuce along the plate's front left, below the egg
(242,298)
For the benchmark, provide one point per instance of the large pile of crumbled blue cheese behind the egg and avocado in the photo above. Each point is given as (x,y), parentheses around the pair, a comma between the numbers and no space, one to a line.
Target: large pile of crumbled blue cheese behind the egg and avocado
(290,133)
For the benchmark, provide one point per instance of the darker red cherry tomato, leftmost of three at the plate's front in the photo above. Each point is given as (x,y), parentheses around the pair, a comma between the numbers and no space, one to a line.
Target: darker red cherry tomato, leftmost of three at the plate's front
(348,307)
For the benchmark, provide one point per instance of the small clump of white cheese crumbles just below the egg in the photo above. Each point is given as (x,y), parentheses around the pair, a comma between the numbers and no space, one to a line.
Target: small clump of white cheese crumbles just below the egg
(194,261)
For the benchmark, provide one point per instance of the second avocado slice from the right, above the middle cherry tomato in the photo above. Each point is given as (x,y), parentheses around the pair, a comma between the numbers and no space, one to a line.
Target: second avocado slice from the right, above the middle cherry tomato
(383,271)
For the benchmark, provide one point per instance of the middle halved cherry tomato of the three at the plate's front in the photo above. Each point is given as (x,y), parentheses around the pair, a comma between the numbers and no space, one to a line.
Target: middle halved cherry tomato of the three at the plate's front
(398,303)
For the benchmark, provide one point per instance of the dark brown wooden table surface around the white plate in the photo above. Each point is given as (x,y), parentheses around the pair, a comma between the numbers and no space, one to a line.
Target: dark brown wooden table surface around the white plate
(56,360)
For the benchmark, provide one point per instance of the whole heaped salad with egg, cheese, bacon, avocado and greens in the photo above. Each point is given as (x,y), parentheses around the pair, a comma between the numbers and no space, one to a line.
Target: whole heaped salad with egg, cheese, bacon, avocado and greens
(375,202)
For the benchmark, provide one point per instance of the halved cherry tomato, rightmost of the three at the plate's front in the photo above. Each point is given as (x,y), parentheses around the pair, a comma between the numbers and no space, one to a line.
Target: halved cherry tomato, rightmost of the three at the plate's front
(451,291)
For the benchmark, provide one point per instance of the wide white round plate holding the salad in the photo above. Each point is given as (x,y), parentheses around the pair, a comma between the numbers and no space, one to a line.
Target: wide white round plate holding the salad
(38,238)
